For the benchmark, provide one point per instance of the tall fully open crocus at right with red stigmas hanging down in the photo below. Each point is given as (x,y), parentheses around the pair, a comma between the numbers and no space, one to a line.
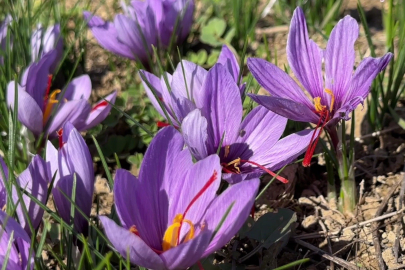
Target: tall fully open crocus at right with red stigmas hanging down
(332,97)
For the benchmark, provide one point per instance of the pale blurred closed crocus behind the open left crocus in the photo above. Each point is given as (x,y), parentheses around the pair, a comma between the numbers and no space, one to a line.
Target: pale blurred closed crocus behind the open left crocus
(43,42)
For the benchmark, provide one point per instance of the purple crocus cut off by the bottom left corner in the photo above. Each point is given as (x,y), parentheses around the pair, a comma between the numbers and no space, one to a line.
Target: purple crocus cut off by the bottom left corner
(19,249)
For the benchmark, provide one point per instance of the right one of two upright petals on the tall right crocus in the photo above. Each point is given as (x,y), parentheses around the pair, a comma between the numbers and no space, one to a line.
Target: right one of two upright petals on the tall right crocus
(339,57)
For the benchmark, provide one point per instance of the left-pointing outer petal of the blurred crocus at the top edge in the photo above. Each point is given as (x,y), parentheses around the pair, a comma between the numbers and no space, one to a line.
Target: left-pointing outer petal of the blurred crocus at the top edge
(107,35)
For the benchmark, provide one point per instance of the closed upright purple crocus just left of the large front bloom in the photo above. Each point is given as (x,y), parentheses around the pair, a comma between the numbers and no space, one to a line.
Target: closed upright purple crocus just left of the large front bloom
(72,158)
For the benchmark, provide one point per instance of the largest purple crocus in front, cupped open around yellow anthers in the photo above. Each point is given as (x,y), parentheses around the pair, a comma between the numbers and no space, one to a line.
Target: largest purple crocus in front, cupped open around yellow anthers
(169,214)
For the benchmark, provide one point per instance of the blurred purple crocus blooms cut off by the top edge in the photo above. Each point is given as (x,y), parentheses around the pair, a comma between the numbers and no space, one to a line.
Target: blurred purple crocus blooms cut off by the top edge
(143,24)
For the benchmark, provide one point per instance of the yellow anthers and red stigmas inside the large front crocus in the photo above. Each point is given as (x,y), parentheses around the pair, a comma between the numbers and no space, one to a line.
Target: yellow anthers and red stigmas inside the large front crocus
(171,236)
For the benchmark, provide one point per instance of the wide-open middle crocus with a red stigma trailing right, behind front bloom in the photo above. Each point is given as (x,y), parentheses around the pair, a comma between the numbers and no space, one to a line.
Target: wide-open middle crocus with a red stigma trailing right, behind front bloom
(247,148)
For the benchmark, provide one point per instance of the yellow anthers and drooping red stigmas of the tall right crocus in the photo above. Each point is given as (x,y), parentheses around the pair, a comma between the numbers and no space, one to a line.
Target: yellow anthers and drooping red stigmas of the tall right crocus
(324,117)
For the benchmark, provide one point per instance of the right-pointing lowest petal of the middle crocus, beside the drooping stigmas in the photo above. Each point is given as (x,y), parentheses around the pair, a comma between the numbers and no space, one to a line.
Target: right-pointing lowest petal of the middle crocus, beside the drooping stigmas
(285,150)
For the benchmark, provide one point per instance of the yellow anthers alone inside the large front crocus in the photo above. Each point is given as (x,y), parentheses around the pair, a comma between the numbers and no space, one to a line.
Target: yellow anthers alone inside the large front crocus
(170,239)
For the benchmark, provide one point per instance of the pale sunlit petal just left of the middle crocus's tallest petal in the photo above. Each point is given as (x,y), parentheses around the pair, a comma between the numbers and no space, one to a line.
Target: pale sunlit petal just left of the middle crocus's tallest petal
(188,84)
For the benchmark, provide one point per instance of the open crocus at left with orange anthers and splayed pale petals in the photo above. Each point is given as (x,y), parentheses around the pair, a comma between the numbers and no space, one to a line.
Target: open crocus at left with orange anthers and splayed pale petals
(36,102)
